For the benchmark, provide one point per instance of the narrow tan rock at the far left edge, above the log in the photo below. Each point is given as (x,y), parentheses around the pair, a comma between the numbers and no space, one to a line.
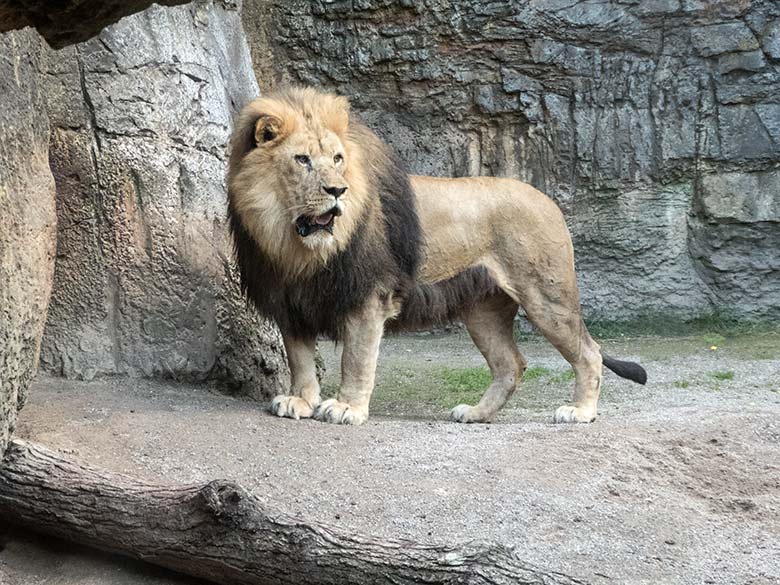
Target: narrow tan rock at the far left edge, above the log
(27,220)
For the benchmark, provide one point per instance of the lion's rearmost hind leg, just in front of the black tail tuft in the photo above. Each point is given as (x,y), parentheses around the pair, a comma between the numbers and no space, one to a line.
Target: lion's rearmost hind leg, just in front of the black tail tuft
(561,323)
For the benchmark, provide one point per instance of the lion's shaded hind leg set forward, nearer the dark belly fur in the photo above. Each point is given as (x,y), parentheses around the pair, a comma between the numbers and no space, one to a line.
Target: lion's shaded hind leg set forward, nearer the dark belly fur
(490,325)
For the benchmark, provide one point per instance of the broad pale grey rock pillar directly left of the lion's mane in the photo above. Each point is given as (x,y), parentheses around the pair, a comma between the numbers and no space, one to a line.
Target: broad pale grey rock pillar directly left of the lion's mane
(144,282)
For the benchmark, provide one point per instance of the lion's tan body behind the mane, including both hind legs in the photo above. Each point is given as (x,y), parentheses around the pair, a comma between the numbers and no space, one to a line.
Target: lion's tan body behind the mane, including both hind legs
(520,236)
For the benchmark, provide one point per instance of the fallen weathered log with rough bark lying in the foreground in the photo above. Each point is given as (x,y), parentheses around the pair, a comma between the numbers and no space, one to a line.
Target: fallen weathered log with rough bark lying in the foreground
(219,531)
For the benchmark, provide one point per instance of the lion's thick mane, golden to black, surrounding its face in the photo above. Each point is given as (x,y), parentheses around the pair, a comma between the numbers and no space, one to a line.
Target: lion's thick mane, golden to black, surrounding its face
(383,252)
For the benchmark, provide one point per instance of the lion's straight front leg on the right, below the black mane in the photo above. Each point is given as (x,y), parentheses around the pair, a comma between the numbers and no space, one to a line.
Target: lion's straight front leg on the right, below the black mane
(362,336)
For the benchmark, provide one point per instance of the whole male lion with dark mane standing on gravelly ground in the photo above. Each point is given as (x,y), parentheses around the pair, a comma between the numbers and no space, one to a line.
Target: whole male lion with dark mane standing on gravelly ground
(334,238)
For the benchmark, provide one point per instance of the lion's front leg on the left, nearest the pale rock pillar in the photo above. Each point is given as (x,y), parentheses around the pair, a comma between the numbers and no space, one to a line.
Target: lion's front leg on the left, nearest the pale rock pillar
(304,387)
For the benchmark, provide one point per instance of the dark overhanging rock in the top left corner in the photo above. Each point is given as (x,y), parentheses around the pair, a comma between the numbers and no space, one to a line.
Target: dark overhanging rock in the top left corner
(66,22)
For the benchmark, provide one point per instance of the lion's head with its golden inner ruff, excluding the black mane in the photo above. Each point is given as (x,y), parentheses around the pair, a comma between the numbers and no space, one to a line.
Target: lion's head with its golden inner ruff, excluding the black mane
(296,177)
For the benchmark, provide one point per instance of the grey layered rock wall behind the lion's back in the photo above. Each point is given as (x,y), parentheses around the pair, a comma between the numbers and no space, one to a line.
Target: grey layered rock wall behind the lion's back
(655,124)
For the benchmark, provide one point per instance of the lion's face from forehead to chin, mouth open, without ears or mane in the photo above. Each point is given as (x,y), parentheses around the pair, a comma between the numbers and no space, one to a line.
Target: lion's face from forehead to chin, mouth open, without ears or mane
(317,192)
